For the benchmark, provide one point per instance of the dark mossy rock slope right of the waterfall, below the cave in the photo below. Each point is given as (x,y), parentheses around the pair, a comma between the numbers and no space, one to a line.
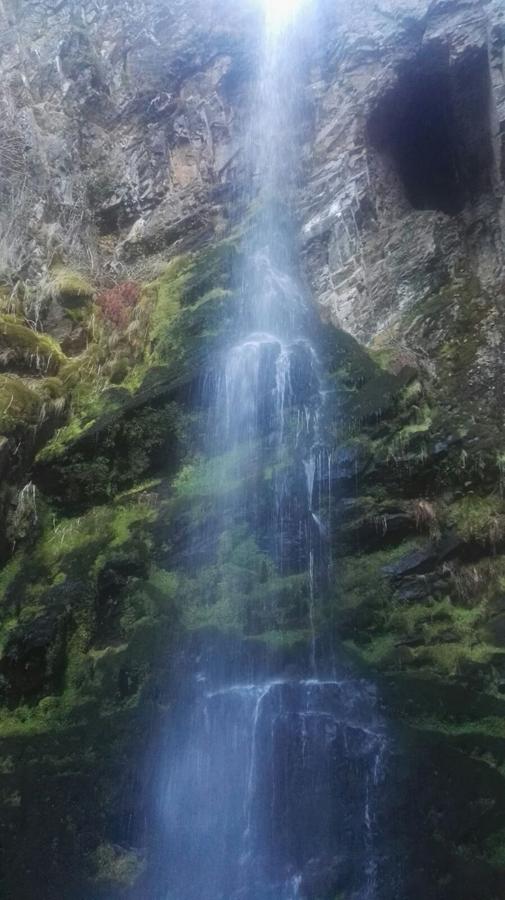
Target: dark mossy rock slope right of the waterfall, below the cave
(418,577)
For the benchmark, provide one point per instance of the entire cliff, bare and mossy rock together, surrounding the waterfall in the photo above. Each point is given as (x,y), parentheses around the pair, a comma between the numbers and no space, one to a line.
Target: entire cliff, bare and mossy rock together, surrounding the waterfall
(121,213)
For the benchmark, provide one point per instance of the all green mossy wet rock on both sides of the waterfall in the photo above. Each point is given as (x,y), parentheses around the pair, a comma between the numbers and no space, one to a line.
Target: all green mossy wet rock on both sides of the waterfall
(100,593)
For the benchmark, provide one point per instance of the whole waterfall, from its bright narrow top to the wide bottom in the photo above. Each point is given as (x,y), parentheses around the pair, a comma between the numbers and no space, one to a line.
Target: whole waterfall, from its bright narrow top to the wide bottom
(270,781)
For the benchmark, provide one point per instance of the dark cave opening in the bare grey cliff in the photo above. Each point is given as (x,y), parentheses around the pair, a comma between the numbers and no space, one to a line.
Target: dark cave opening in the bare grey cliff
(434,127)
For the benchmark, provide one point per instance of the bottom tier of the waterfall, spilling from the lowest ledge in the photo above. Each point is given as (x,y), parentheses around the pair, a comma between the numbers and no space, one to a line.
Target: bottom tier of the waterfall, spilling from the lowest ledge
(271,791)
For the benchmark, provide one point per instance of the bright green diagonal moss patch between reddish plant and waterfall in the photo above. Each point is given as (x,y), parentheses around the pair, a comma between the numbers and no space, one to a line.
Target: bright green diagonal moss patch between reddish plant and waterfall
(175,324)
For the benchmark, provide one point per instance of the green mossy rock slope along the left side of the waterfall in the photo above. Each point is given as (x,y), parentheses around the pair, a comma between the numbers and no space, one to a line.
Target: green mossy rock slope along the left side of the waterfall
(90,606)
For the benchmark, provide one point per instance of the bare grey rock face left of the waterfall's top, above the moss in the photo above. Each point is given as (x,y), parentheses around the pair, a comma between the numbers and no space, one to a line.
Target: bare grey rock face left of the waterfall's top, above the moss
(120,128)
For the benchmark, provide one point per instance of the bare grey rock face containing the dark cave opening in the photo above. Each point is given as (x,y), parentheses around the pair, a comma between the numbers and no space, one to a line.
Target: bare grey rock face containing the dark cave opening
(404,189)
